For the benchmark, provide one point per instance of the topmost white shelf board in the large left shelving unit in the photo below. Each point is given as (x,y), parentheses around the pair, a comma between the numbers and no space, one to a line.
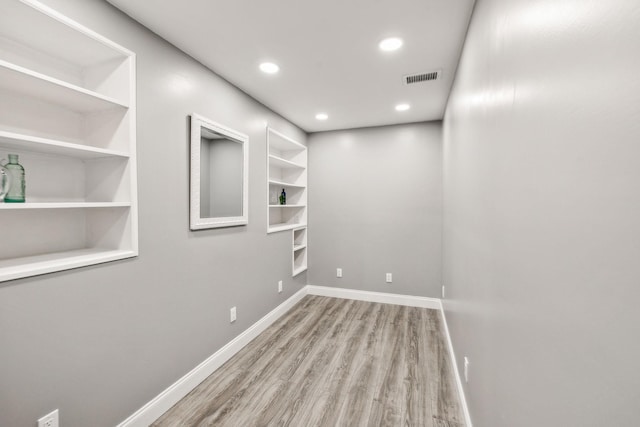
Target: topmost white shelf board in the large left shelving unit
(18,79)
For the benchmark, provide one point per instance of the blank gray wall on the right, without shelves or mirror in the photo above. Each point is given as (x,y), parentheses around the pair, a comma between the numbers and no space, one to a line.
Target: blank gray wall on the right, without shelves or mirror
(542,209)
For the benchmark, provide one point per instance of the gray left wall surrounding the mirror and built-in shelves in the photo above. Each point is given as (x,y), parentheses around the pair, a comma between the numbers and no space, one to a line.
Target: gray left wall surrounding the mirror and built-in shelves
(99,342)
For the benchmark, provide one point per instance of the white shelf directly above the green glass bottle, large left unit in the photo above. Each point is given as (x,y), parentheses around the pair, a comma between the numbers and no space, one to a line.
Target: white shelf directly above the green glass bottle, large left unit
(20,142)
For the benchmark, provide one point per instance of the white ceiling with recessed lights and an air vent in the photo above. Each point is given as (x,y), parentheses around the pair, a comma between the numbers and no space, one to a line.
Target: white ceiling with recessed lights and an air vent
(327,52)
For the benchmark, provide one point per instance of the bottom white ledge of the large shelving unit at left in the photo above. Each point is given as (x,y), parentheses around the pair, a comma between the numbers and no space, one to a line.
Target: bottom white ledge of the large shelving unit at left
(40,264)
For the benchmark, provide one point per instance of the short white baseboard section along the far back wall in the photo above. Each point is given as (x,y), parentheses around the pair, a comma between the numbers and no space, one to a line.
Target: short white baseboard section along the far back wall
(408,300)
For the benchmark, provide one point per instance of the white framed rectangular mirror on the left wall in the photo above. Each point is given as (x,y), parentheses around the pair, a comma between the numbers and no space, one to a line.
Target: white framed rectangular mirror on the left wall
(219,175)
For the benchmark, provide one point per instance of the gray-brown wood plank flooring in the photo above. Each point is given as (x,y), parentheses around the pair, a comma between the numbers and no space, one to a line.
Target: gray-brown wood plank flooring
(332,362)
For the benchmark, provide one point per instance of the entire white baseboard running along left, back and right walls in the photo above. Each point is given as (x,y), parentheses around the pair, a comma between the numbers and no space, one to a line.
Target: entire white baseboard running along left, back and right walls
(150,412)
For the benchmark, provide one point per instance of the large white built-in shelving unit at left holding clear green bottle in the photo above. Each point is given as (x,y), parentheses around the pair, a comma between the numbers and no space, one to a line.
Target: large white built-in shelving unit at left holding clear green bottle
(67,108)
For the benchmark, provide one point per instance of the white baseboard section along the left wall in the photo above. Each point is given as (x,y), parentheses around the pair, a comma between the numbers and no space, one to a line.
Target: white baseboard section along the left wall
(165,400)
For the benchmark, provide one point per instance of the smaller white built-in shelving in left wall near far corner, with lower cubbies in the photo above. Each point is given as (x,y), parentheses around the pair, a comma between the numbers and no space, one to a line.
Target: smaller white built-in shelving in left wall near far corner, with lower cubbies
(287,169)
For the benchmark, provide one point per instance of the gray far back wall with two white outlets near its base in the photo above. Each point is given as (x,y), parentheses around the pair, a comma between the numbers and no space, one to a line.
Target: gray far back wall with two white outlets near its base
(375,206)
